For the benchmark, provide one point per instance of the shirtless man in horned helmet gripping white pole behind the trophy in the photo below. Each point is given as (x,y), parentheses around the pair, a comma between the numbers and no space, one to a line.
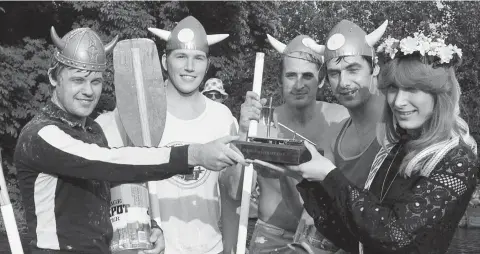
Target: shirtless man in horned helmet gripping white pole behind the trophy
(280,205)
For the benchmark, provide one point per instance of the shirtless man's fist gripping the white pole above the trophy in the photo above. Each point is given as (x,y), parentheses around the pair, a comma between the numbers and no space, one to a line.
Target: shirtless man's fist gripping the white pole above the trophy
(251,109)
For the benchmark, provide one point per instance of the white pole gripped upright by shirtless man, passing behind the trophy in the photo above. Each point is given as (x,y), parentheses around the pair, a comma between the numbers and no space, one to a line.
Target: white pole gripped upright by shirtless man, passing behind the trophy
(248,175)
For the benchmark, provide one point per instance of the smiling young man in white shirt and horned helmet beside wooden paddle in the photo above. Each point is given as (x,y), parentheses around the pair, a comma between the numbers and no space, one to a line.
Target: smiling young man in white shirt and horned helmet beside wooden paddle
(189,204)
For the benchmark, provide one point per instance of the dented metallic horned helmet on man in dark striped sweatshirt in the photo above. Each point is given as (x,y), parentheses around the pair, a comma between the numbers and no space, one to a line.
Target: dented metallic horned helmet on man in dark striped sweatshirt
(82,48)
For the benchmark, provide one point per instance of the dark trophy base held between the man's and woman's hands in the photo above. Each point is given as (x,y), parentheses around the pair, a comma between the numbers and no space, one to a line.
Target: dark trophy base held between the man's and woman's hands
(279,151)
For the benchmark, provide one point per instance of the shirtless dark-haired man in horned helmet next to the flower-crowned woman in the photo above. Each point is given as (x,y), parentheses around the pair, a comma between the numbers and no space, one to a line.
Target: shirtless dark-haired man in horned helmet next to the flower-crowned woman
(352,74)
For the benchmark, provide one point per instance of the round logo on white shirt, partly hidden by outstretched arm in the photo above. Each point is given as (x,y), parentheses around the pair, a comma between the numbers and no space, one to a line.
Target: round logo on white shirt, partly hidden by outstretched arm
(196,178)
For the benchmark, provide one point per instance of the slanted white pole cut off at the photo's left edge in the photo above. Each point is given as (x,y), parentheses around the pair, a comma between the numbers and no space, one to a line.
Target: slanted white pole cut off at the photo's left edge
(8,217)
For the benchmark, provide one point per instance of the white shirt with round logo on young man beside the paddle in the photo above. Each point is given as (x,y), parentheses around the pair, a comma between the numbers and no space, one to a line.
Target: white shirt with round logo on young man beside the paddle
(189,204)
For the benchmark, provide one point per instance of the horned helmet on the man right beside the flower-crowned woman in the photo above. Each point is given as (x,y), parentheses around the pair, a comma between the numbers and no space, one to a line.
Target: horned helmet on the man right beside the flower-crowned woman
(348,39)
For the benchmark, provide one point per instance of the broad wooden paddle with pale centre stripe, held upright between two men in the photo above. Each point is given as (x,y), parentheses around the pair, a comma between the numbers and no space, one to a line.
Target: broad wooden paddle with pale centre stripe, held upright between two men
(141,98)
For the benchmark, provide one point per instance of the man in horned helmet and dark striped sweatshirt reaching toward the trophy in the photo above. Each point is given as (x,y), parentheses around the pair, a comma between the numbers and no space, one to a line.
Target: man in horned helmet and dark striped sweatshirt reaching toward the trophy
(64,165)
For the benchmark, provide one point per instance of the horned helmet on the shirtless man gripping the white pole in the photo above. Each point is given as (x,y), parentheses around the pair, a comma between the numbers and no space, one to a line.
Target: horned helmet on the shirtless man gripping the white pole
(301,43)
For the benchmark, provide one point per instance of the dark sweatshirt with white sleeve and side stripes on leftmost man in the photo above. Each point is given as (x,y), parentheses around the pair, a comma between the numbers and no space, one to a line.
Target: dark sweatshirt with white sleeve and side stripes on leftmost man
(64,172)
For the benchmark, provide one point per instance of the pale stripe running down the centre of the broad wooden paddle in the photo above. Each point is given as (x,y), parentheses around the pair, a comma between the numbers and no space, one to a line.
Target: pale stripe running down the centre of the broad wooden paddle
(142,107)
